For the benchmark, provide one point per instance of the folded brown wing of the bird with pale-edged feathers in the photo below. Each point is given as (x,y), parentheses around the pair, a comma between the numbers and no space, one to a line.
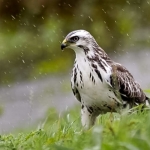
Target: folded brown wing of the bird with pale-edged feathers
(123,81)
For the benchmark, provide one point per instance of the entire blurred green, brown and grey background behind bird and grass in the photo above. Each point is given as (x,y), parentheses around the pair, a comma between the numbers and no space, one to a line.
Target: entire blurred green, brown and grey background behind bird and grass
(35,73)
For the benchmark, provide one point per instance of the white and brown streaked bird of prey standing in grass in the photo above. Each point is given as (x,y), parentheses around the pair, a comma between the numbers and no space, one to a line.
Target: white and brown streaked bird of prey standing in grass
(100,84)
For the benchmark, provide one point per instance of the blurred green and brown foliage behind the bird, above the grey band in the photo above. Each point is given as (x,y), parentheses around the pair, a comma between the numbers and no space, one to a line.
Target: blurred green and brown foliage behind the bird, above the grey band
(31,32)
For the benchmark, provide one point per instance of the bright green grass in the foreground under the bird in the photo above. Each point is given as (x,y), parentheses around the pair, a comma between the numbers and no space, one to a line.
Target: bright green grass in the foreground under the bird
(127,132)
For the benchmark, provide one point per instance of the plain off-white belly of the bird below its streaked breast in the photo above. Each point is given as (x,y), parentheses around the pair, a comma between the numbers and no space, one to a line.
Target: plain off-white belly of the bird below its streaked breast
(99,96)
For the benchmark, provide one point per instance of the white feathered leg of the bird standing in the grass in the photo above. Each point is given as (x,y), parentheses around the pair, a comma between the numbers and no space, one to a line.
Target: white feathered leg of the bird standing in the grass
(87,117)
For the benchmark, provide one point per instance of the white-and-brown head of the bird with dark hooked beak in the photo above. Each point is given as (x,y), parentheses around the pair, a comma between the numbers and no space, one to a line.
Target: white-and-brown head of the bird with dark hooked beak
(77,39)
